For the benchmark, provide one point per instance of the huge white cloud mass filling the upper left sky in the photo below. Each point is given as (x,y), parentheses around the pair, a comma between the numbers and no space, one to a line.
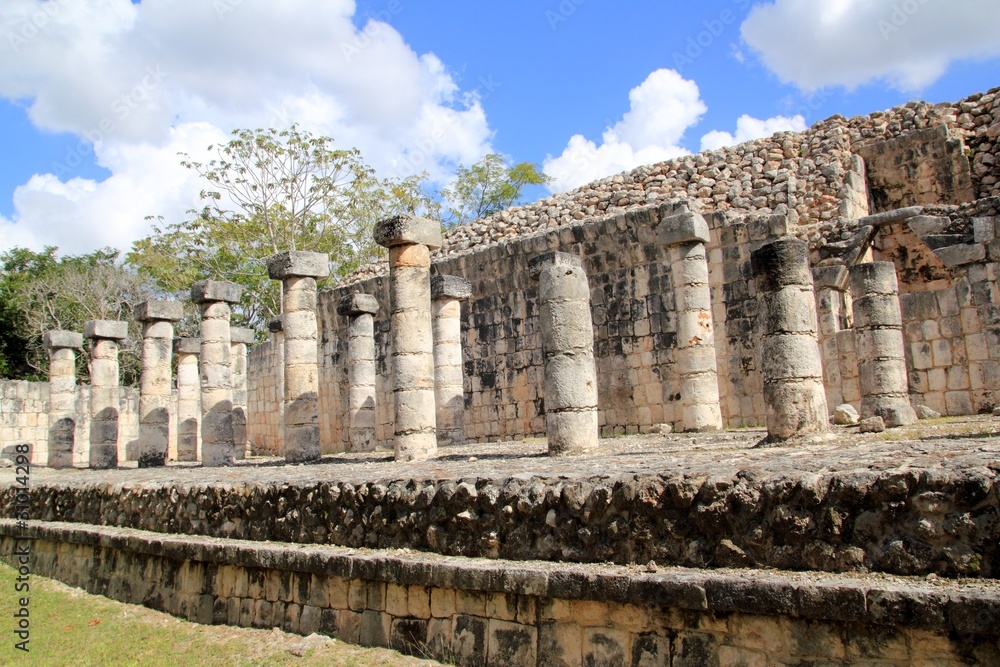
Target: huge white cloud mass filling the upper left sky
(140,83)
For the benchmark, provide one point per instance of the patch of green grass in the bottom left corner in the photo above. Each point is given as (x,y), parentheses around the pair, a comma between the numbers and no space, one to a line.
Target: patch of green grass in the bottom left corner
(71,628)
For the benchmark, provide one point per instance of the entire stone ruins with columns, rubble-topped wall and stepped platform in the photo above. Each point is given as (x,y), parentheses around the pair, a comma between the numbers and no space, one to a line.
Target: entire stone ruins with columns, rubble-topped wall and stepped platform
(740,407)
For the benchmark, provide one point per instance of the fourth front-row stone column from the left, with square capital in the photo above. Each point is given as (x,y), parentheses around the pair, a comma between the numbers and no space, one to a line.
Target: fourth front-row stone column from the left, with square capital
(215,299)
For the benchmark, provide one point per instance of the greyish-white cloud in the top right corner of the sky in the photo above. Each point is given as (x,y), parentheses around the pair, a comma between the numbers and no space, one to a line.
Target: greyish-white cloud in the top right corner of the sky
(908,43)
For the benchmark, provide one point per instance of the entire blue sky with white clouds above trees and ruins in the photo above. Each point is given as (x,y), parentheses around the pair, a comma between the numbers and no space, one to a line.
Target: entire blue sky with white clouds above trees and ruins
(97,97)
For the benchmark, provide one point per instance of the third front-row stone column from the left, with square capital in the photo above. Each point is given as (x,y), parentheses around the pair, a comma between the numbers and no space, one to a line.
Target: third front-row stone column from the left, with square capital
(157,318)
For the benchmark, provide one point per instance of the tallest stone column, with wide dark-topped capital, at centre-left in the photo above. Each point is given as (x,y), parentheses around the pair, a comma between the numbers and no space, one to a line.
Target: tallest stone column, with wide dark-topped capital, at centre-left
(410,241)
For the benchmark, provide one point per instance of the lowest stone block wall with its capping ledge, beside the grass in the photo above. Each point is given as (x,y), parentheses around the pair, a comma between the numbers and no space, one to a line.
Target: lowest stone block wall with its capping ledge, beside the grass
(502,613)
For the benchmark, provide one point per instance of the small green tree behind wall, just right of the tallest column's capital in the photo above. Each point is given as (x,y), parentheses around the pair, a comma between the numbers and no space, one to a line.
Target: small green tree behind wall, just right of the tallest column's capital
(487,187)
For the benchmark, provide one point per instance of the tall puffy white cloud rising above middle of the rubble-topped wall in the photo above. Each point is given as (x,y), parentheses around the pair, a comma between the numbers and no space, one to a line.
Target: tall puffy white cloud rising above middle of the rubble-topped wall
(661,109)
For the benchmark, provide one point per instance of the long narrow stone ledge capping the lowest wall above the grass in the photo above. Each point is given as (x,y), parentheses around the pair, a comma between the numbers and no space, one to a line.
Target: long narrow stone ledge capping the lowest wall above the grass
(943,606)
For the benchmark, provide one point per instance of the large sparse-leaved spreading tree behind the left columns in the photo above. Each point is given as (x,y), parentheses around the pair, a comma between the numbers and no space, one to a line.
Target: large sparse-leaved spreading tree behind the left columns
(271,192)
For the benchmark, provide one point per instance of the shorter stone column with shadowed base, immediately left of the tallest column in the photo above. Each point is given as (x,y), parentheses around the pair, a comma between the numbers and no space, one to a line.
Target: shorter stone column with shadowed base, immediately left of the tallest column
(361,310)
